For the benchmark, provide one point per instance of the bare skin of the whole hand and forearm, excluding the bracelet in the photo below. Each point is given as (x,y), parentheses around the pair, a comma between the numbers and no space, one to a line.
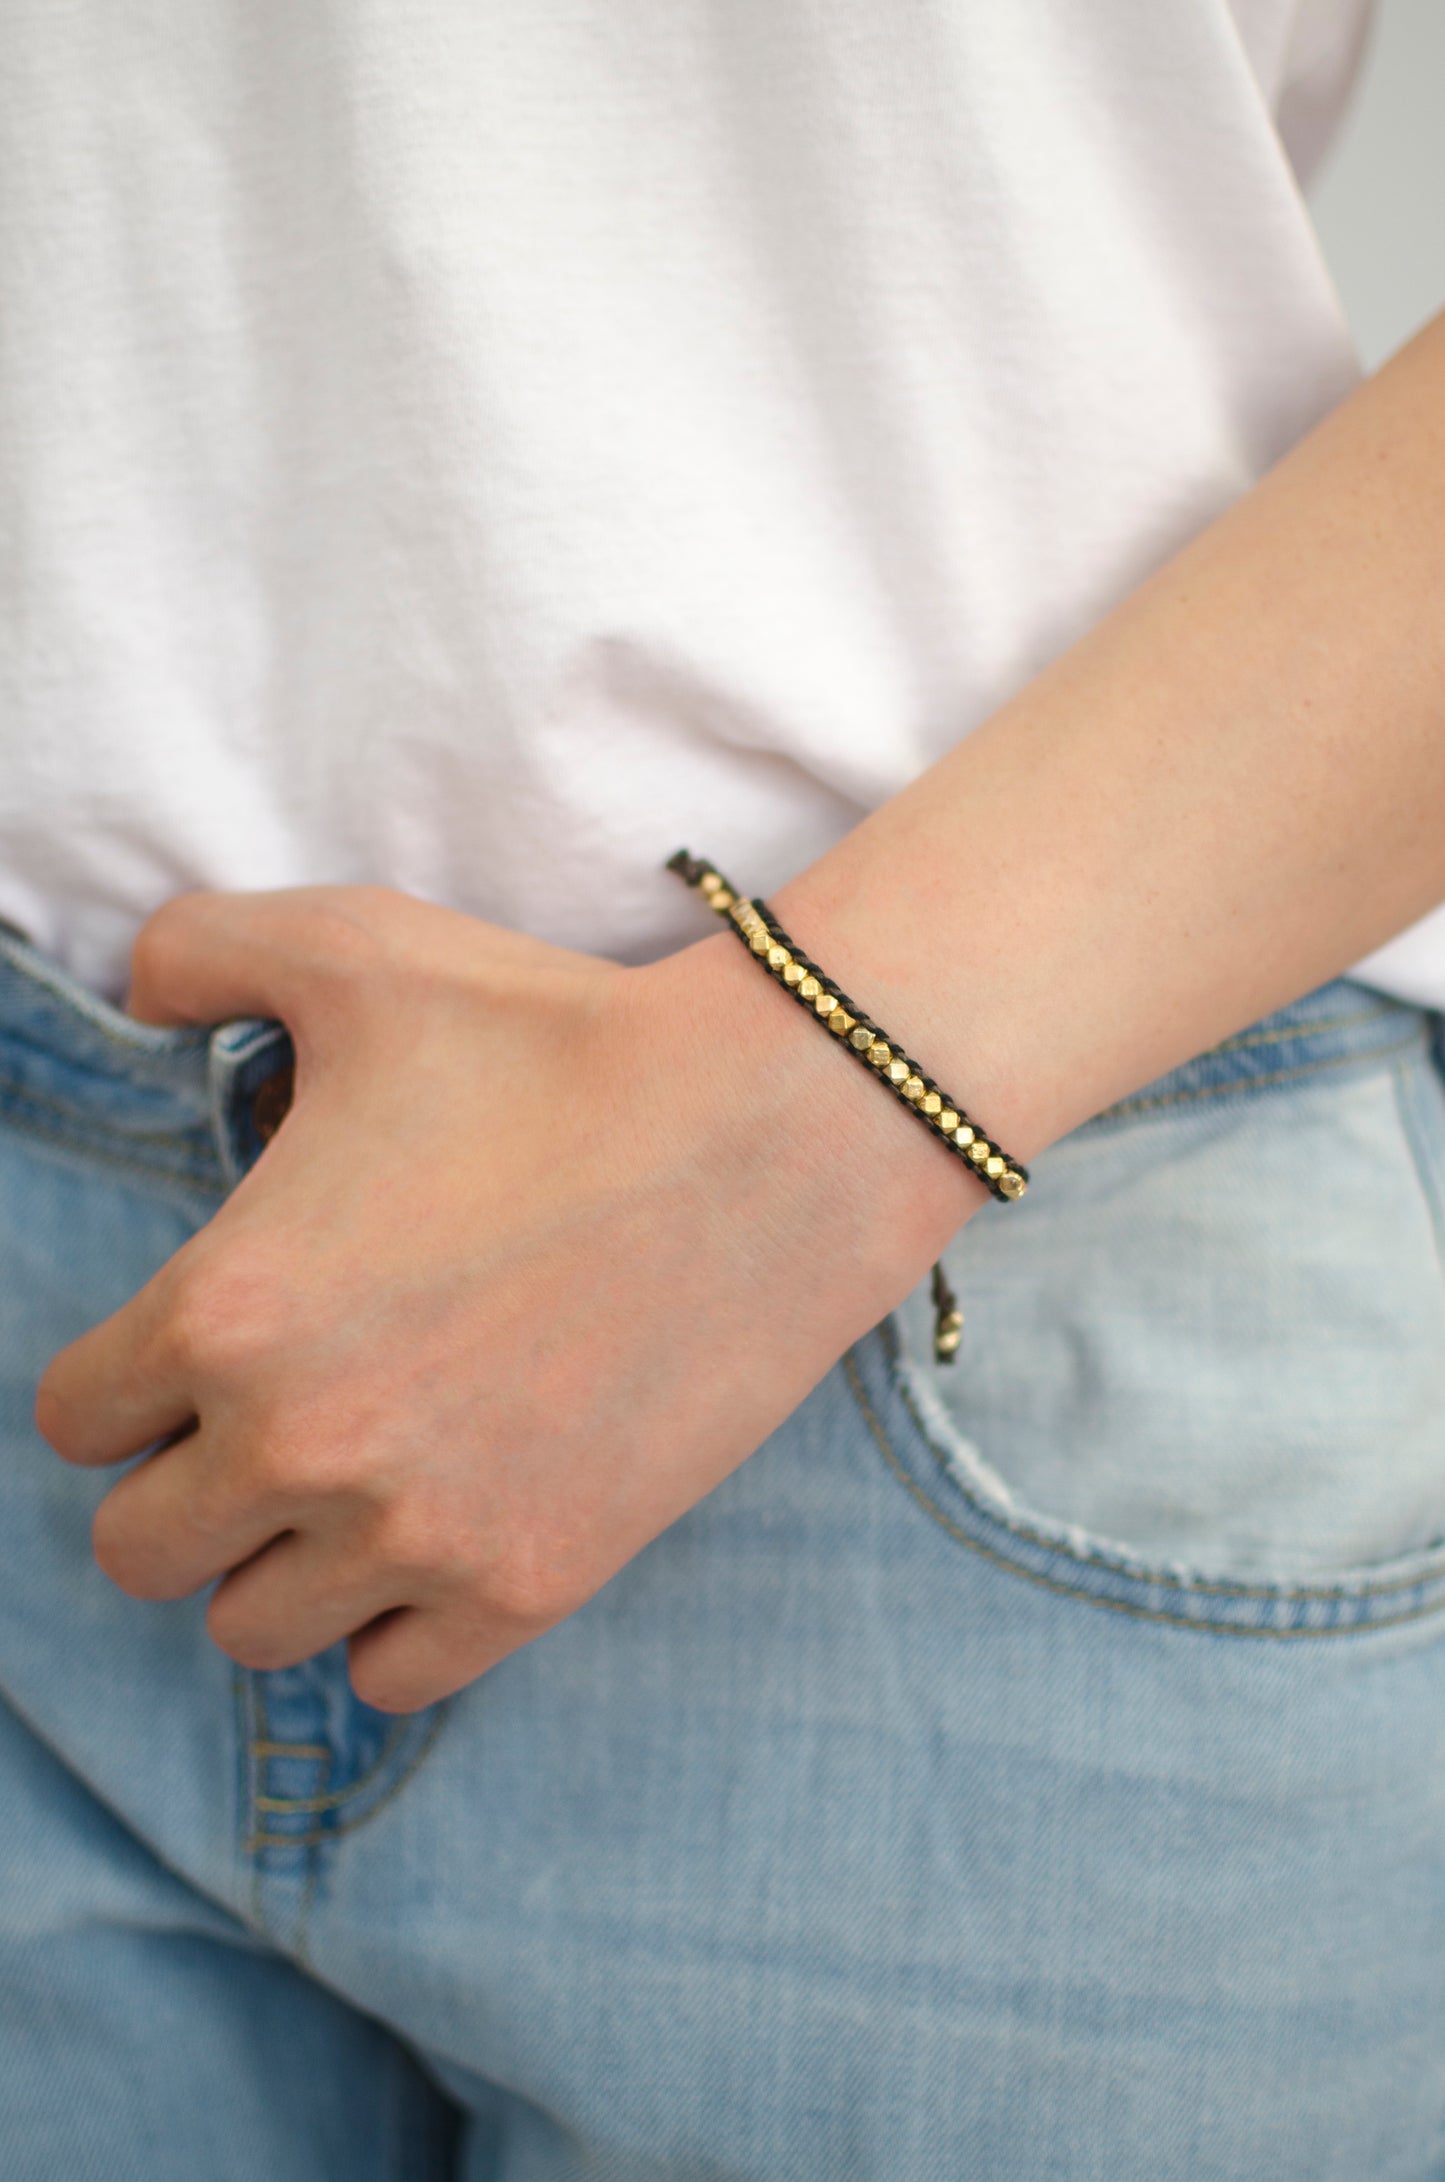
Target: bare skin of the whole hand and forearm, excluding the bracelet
(547,1247)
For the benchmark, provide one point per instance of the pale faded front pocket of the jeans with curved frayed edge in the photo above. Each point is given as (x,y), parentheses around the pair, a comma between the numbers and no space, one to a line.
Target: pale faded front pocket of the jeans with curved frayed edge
(1208,1352)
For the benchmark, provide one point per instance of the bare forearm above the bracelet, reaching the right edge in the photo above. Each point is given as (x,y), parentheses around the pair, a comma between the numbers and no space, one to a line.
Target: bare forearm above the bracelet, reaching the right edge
(1230,791)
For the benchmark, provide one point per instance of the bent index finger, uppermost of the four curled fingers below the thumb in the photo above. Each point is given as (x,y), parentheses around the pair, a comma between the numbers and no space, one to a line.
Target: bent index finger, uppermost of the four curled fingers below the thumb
(121,1387)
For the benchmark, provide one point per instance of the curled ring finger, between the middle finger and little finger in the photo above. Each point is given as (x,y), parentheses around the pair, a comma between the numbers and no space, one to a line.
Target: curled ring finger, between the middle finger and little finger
(294,1600)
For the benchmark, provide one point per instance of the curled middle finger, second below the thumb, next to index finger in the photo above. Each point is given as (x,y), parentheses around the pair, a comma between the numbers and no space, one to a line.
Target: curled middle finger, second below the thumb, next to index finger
(182,1520)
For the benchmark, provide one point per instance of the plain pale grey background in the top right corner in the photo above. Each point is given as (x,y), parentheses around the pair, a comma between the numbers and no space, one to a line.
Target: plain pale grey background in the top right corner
(1381,195)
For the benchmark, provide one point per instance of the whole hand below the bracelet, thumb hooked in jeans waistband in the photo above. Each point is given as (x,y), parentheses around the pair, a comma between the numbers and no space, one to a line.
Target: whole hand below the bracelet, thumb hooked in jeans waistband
(540,1254)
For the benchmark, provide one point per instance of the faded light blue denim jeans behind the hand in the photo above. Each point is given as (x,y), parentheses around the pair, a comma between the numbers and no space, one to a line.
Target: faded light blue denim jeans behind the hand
(1023,1771)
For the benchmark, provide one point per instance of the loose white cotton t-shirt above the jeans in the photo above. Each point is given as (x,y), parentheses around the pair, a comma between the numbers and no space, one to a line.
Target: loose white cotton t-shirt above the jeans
(483,444)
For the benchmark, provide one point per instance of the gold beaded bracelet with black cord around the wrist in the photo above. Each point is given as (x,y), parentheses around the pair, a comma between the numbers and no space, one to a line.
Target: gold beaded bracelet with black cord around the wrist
(763,935)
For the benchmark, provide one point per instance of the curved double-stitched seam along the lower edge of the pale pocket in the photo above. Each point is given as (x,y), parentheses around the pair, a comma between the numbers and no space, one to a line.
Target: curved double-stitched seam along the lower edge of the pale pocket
(1202,1624)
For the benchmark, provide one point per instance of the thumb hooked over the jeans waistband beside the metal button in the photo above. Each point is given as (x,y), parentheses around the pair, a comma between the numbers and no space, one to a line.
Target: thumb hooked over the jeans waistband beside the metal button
(208,957)
